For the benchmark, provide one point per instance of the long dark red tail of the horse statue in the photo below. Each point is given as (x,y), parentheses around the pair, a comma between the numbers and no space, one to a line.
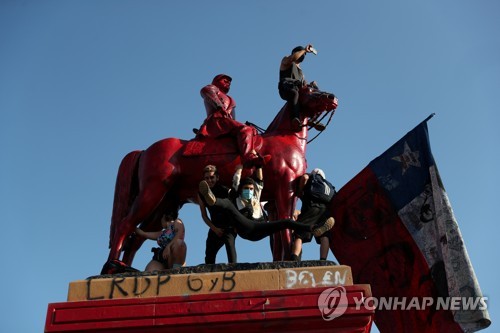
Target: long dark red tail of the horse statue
(126,189)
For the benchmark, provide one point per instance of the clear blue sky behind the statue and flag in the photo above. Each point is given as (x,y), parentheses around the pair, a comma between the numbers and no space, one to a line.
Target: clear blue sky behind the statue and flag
(82,83)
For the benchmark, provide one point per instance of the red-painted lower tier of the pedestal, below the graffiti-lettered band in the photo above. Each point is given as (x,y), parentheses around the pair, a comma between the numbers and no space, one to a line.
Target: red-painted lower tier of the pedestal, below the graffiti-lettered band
(256,311)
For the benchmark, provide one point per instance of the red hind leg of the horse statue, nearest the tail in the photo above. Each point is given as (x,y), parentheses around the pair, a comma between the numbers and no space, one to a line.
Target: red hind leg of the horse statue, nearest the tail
(144,204)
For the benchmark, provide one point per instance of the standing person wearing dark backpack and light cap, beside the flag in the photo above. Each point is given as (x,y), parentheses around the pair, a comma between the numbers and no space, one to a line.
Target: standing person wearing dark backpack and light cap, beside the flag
(315,193)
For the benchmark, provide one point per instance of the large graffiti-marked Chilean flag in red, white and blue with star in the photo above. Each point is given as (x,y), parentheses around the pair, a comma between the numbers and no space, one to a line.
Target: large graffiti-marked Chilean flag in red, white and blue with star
(396,229)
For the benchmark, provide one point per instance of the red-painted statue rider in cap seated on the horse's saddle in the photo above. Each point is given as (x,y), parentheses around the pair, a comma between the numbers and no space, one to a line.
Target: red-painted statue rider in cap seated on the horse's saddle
(221,116)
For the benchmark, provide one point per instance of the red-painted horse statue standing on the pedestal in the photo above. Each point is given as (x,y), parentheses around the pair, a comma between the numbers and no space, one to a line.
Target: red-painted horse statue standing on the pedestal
(166,175)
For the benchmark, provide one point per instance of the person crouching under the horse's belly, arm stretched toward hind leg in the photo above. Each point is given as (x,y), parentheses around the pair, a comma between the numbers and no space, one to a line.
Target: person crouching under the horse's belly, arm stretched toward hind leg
(172,249)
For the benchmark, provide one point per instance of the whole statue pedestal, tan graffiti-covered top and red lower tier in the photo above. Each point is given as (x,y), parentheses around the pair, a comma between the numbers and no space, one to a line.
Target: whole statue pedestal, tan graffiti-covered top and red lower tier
(265,297)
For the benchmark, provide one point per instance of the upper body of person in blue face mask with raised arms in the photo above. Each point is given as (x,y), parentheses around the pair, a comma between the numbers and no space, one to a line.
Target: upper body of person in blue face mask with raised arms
(249,190)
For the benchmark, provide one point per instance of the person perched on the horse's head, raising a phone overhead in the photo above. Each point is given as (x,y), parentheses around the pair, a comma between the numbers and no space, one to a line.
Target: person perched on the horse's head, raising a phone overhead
(291,79)
